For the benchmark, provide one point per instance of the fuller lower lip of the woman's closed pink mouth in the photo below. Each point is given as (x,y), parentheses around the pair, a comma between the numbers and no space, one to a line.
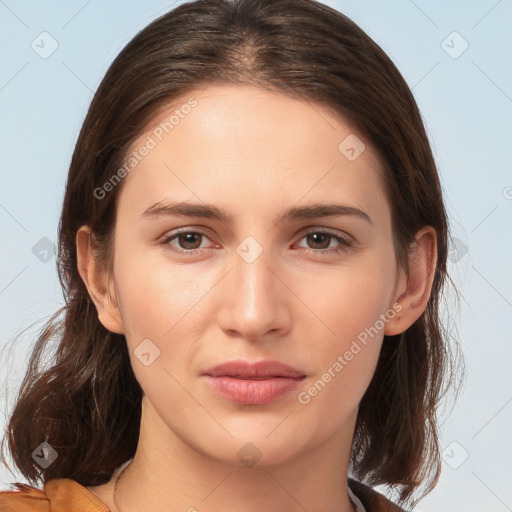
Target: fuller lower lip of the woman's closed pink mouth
(255,392)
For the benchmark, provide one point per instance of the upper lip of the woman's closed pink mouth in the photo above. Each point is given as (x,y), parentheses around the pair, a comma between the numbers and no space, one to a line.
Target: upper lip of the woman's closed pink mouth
(259,369)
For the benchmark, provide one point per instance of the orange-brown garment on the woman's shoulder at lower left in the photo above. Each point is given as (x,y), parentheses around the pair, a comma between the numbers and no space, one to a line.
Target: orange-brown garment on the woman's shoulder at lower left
(59,495)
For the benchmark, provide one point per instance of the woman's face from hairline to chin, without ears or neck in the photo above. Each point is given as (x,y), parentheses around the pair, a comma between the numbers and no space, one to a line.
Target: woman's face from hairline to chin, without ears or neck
(273,280)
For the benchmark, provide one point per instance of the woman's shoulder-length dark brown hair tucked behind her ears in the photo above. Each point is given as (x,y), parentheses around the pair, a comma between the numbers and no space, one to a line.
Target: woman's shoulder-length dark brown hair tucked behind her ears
(87,402)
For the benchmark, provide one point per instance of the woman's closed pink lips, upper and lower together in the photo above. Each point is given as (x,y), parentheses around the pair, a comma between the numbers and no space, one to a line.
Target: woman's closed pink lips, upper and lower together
(253,383)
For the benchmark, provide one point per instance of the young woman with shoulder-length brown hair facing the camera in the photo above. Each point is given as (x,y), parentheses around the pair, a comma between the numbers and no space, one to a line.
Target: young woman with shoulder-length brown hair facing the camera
(253,247)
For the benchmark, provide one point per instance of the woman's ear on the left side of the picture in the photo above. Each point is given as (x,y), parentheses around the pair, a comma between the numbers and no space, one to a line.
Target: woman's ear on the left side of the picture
(96,281)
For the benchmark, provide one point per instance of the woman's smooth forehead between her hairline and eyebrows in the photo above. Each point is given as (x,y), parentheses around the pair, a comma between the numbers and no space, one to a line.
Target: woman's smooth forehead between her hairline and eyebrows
(239,140)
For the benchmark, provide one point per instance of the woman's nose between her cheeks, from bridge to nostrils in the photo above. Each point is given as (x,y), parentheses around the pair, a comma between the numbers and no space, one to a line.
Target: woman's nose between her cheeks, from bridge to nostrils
(255,300)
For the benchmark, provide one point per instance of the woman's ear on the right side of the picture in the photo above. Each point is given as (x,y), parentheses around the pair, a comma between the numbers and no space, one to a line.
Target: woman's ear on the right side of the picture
(413,294)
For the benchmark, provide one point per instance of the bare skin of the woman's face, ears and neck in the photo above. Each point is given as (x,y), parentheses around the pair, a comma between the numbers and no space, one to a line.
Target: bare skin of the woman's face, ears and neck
(253,153)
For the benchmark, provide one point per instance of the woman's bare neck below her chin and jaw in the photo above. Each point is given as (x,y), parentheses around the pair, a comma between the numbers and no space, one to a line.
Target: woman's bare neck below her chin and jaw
(168,474)
